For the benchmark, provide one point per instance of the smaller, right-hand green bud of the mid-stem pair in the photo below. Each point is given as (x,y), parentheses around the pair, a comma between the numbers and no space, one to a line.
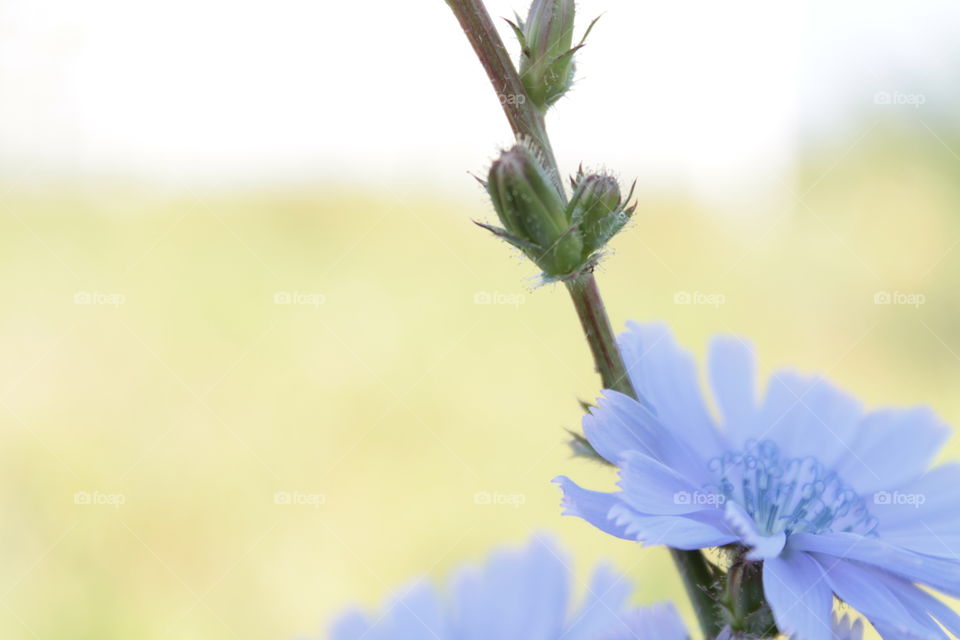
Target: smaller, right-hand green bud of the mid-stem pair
(598,210)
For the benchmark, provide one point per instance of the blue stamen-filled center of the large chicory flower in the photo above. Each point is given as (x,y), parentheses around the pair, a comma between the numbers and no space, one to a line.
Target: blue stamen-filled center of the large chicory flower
(793,495)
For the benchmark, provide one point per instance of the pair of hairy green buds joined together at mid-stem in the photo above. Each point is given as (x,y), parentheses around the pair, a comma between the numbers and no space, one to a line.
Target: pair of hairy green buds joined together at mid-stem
(561,238)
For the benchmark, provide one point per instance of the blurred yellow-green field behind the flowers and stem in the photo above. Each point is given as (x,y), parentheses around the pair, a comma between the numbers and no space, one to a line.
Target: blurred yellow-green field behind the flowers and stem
(276,462)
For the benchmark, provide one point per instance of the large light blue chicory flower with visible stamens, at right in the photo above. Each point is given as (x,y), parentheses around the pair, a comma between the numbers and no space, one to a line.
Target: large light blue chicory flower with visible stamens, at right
(834,501)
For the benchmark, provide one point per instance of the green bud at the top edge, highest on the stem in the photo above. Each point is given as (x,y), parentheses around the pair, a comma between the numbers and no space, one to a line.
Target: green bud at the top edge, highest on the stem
(546,61)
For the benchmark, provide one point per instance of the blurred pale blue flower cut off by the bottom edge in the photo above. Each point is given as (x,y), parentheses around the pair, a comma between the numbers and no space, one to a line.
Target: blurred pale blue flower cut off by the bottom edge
(516,595)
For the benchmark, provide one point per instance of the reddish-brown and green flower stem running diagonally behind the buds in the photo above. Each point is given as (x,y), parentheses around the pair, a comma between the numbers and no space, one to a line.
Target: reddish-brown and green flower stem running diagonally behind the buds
(527,123)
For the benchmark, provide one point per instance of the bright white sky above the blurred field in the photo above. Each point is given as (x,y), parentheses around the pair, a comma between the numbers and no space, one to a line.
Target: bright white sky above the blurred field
(697,93)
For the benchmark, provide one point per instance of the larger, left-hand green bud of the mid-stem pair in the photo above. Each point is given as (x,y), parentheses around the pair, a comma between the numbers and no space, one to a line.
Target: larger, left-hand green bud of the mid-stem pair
(533,213)
